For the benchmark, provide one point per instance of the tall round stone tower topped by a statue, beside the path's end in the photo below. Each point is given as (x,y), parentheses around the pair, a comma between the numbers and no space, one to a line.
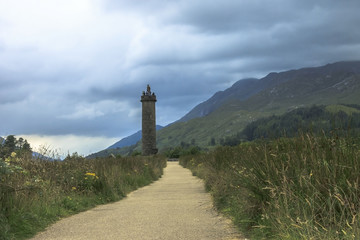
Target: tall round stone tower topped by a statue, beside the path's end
(148,100)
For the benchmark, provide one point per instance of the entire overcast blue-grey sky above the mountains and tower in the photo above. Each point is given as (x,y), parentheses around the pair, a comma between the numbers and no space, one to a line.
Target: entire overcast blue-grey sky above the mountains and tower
(72,72)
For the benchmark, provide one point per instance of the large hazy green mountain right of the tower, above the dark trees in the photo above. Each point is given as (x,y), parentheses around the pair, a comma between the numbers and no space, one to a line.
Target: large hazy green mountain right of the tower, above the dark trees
(229,111)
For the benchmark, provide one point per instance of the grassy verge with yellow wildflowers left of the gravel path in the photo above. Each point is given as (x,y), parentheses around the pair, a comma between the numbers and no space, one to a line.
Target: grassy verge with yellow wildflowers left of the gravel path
(34,194)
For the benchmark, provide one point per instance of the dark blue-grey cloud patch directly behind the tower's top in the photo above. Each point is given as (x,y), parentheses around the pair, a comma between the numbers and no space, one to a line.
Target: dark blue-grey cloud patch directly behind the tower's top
(169,87)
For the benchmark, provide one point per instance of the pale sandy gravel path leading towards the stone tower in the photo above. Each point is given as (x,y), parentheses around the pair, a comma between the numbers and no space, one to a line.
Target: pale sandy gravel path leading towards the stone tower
(174,207)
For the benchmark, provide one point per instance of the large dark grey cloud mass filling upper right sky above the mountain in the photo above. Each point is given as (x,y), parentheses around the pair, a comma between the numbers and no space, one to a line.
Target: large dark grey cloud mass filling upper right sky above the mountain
(250,31)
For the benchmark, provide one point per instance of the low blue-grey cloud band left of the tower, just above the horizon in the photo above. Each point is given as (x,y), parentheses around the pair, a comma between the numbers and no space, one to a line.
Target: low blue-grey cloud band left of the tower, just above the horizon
(45,120)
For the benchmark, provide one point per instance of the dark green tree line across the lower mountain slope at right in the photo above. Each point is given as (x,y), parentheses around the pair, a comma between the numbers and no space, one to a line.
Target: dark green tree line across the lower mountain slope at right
(314,119)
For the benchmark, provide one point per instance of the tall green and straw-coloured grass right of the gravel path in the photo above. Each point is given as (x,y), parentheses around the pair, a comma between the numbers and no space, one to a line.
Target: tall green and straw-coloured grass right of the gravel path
(300,188)
